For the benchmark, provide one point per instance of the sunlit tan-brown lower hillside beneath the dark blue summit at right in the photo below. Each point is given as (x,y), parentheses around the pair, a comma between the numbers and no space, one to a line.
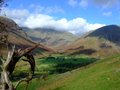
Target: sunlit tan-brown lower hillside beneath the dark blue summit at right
(92,46)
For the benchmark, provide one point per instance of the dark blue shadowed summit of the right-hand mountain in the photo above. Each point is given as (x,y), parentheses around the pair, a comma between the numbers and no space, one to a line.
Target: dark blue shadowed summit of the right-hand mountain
(110,32)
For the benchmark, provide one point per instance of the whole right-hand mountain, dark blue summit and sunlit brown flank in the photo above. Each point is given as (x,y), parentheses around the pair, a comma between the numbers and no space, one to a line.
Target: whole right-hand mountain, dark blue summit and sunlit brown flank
(100,42)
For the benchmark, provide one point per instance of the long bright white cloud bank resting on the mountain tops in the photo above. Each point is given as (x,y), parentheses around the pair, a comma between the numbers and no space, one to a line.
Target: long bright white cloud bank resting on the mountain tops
(76,25)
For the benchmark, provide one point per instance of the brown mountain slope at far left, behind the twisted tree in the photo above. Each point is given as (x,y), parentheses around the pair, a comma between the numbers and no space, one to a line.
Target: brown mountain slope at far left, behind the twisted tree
(15,35)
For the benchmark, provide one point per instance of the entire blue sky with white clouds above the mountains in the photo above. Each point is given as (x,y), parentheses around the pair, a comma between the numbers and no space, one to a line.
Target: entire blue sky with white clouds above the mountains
(75,16)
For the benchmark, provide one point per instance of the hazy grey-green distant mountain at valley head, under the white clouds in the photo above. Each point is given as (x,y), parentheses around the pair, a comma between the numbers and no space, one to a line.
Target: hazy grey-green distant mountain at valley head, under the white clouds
(49,36)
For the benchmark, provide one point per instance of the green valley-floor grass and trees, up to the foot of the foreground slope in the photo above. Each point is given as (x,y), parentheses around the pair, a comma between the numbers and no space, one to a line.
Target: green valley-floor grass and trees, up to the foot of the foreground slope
(52,66)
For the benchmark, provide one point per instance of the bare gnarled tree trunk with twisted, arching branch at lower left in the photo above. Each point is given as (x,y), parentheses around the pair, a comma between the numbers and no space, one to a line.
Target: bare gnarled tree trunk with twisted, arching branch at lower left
(9,66)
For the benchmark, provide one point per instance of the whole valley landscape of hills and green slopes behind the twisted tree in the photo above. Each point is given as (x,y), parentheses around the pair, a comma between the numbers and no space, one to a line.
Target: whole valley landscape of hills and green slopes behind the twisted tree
(65,61)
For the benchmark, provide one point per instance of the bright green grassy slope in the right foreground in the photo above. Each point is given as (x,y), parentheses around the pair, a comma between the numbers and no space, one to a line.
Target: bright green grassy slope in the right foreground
(102,75)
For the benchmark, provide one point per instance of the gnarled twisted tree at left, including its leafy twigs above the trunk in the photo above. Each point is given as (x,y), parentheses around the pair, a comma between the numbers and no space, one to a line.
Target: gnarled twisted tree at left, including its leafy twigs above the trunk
(14,55)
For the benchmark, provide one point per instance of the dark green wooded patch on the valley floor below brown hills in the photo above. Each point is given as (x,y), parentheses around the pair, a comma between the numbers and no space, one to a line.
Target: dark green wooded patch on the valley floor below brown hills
(61,64)
